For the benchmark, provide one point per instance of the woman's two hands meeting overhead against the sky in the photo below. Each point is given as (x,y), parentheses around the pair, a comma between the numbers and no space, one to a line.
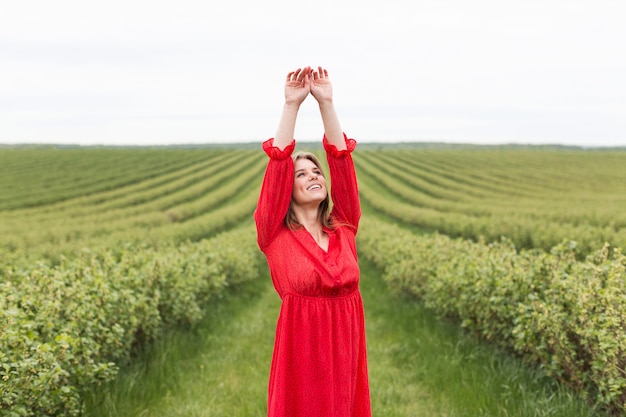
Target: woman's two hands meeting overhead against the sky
(305,80)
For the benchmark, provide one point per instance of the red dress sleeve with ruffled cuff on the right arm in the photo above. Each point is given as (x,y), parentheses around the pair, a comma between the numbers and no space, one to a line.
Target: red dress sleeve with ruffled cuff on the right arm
(344,188)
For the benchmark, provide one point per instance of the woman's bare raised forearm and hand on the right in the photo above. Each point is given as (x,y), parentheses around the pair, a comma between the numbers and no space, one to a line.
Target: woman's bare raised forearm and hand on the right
(322,90)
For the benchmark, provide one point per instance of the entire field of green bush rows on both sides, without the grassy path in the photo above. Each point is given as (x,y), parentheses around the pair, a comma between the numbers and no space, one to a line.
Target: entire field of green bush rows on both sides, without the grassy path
(103,250)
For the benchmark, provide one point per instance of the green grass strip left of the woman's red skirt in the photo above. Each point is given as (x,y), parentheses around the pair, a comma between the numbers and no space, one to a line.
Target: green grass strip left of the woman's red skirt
(220,368)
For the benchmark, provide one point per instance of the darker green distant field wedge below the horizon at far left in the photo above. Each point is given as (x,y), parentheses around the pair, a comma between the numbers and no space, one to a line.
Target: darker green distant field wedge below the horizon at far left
(38,176)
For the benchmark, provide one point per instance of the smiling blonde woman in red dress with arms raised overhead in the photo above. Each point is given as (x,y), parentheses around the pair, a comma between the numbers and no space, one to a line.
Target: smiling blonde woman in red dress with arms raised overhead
(319,365)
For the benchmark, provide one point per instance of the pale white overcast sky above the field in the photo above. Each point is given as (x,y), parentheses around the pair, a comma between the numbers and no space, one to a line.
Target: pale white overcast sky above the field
(138,72)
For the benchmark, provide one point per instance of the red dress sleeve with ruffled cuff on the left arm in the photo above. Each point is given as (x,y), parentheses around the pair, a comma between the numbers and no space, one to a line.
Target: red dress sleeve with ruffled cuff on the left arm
(275,194)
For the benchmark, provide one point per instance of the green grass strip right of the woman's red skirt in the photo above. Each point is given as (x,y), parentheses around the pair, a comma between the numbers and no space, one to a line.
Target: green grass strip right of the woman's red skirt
(431,367)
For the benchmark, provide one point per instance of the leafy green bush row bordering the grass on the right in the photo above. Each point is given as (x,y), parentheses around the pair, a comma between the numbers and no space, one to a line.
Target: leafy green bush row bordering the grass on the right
(567,316)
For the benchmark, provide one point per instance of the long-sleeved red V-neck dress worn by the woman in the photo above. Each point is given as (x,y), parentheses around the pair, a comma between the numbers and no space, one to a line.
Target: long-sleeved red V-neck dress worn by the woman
(319,365)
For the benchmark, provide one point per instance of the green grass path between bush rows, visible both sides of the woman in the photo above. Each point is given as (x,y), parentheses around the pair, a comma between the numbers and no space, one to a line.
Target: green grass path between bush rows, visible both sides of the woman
(418,365)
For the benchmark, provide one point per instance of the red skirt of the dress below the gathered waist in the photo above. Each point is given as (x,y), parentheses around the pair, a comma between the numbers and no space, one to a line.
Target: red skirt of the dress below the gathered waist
(319,365)
